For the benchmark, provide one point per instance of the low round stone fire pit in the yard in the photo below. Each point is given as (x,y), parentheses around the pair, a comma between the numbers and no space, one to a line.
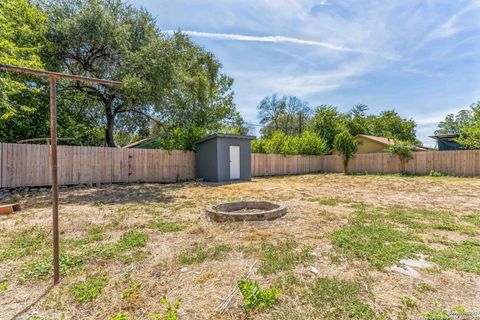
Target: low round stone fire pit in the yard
(246,211)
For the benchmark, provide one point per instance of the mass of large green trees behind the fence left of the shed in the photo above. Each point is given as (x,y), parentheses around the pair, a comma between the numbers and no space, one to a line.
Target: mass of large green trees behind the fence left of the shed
(172,87)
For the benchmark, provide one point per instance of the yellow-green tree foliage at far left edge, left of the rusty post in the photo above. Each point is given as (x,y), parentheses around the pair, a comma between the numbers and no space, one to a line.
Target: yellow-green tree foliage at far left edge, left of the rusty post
(23,102)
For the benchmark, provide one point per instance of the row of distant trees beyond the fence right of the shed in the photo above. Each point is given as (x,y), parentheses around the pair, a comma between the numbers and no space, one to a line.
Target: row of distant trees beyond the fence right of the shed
(326,121)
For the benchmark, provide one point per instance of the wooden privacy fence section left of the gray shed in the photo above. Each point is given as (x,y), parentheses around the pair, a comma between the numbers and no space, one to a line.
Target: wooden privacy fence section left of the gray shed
(28,165)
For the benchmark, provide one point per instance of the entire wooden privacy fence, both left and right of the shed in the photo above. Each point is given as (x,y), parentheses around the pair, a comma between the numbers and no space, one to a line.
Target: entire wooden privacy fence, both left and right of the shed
(27,165)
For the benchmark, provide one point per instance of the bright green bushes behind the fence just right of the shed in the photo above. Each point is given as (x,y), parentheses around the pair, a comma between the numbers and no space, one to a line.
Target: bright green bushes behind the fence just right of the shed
(280,143)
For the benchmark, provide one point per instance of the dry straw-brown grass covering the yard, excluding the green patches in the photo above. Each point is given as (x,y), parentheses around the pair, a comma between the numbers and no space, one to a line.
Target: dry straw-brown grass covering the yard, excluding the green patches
(203,286)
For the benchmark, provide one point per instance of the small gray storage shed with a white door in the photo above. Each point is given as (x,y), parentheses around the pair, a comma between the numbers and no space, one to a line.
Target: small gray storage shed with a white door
(224,157)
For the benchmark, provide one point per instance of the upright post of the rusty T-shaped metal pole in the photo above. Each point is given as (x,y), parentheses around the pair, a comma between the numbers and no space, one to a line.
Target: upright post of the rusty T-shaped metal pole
(53,162)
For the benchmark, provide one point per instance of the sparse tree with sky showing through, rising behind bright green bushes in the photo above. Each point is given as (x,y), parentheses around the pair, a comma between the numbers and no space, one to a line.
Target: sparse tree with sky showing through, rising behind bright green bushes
(286,114)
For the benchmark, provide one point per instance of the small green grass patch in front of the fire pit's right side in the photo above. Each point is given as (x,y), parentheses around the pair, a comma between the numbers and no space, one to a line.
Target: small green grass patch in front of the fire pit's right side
(282,256)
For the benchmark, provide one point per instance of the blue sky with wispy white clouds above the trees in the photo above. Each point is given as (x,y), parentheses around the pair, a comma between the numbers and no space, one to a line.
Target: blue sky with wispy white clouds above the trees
(419,57)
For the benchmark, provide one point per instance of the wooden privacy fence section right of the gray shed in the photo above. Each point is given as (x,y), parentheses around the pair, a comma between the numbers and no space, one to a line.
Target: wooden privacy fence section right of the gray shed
(455,163)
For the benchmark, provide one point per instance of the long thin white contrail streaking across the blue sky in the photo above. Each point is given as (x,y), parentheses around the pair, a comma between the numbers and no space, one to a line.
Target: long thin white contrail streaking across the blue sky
(275,39)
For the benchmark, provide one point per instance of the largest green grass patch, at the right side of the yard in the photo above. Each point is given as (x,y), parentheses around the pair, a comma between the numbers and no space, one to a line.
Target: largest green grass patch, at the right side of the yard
(385,236)
